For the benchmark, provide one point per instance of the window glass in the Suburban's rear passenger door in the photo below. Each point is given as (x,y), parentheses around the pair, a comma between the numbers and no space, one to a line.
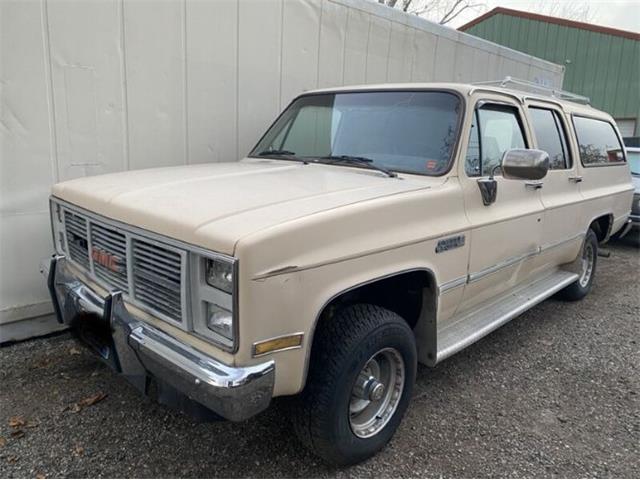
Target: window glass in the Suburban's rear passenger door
(550,136)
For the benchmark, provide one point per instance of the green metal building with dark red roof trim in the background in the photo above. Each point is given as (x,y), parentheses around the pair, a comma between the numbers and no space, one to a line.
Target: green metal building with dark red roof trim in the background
(601,63)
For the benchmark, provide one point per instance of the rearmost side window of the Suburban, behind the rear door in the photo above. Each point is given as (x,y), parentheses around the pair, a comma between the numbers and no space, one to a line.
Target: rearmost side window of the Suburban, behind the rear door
(598,142)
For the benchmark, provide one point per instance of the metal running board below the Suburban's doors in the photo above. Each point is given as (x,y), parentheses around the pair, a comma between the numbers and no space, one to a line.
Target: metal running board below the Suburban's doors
(472,326)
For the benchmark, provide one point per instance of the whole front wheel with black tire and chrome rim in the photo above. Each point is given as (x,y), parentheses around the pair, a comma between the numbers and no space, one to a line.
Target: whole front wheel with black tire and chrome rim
(361,376)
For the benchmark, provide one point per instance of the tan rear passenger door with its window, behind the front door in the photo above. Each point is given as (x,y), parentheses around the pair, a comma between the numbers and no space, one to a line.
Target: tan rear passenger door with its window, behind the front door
(559,190)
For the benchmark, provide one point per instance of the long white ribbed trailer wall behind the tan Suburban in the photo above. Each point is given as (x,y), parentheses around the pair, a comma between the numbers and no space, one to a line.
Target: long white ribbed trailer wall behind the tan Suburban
(95,87)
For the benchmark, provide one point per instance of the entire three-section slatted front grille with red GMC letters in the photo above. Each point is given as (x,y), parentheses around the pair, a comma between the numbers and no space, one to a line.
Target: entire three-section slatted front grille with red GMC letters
(153,281)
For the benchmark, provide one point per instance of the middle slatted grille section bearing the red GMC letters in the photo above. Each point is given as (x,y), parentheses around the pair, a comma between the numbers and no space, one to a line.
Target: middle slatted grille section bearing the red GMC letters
(113,243)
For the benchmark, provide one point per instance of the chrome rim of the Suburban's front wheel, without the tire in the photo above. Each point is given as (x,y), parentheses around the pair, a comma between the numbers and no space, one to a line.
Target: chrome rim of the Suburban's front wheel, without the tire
(376,393)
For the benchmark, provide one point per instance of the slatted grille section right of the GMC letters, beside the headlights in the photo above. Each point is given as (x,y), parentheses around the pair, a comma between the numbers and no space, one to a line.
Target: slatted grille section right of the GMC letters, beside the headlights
(157,273)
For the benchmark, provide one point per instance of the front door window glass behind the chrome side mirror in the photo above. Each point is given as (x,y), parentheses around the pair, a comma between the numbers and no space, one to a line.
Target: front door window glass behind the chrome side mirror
(496,128)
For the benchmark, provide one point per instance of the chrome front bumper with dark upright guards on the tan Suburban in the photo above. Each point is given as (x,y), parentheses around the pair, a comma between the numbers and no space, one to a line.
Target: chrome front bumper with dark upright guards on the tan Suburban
(141,352)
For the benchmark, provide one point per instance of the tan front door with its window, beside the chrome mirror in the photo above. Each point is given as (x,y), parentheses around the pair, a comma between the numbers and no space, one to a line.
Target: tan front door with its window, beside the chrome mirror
(505,235)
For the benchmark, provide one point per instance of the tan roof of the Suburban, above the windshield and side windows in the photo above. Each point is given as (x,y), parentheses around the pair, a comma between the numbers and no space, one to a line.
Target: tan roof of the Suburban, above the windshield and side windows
(468,89)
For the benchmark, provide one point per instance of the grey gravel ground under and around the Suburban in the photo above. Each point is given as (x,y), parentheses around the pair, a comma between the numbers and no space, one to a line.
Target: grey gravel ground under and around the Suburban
(555,393)
